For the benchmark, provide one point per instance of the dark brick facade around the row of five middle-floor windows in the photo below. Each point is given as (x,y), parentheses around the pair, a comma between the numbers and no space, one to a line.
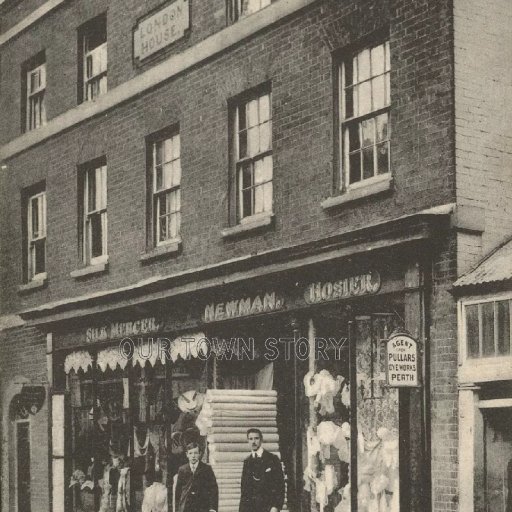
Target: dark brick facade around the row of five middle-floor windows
(295,55)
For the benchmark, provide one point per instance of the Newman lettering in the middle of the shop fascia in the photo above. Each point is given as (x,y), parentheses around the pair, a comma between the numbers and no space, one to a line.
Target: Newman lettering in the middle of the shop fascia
(243,307)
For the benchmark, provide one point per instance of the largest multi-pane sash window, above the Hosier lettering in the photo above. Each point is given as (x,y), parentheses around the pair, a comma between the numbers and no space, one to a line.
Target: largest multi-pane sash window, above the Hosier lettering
(365,102)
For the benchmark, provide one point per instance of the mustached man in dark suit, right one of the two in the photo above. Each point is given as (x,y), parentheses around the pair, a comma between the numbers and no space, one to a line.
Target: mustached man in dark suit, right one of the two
(262,478)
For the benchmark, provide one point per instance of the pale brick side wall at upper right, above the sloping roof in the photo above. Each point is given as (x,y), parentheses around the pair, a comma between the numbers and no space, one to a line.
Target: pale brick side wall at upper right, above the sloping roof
(483,99)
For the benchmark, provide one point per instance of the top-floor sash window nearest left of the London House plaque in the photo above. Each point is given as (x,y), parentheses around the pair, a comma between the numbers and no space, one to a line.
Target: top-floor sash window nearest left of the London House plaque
(94,83)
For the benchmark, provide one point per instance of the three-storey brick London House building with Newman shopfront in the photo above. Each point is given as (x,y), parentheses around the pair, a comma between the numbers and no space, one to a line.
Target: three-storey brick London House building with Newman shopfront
(256,170)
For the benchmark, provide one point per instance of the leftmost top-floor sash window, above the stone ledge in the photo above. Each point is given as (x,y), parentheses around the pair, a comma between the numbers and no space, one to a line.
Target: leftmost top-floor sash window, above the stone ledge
(34,90)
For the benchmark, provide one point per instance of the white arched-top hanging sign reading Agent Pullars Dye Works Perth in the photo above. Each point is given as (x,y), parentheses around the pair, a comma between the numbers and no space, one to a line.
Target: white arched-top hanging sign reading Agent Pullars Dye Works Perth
(402,362)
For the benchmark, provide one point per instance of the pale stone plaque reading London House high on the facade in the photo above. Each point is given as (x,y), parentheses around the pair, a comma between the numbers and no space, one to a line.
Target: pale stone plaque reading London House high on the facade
(161,29)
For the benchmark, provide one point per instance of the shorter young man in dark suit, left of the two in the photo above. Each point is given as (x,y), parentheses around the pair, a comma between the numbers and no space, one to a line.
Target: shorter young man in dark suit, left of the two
(196,487)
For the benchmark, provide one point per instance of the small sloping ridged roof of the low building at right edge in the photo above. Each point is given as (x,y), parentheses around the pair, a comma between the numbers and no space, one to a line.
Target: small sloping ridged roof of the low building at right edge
(494,269)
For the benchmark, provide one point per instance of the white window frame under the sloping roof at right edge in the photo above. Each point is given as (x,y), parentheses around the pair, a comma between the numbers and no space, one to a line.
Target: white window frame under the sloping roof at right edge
(488,368)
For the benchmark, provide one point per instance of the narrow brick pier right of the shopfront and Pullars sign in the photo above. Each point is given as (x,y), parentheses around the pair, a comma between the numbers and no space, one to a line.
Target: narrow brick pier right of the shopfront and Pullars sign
(443,374)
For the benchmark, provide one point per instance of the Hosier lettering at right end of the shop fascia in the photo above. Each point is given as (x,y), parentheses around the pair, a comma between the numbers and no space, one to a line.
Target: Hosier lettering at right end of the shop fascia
(354,286)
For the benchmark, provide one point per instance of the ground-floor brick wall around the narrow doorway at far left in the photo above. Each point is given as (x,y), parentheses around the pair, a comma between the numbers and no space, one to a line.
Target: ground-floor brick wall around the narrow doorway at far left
(23,353)
